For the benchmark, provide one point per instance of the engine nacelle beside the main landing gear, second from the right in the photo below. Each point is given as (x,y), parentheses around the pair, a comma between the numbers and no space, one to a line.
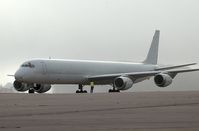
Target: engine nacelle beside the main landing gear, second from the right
(123,83)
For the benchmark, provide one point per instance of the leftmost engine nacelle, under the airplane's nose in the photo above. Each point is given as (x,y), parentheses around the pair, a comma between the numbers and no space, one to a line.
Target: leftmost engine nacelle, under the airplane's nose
(19,86)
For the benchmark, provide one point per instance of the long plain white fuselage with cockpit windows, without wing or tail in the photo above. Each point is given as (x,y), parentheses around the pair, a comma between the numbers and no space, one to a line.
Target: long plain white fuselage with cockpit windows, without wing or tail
(74,71)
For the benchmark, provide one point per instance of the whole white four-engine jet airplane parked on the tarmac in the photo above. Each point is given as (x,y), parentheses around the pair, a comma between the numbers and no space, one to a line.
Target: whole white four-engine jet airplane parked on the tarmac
(38,75)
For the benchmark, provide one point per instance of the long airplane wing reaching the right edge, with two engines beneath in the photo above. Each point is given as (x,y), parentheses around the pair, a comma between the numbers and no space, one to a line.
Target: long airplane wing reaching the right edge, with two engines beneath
(136,75)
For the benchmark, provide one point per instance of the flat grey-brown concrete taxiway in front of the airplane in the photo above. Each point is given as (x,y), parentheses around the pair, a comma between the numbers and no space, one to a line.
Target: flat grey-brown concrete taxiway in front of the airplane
(157,111)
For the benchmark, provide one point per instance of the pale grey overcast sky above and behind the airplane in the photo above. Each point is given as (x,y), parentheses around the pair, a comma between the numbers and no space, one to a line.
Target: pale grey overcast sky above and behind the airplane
(118,30)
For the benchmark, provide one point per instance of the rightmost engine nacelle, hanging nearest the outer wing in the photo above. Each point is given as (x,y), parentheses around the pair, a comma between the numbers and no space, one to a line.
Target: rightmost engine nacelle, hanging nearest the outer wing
(163,80)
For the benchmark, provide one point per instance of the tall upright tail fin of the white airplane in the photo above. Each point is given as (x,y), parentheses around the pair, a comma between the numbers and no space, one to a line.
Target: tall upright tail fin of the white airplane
(152,57)
